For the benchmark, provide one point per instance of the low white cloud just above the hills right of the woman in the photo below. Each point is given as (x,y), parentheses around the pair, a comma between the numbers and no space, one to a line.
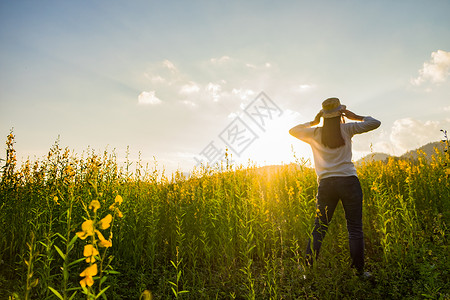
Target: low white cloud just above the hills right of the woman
(408,134)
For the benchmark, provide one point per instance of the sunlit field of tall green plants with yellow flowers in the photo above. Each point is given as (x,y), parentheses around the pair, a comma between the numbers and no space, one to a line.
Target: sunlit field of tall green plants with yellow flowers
(83,226)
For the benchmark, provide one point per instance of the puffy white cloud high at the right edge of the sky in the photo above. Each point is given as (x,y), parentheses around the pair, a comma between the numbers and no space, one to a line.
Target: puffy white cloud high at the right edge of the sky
(436,70)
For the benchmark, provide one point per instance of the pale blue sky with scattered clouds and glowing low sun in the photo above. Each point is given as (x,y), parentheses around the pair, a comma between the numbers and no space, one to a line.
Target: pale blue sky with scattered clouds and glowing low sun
(180,82)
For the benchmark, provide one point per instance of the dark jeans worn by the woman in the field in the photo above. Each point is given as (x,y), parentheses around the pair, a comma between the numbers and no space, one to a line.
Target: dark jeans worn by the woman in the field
(330,191)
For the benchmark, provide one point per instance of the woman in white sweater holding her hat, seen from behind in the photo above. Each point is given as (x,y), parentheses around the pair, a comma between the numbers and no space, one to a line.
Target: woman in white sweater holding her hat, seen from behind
(336,174)
